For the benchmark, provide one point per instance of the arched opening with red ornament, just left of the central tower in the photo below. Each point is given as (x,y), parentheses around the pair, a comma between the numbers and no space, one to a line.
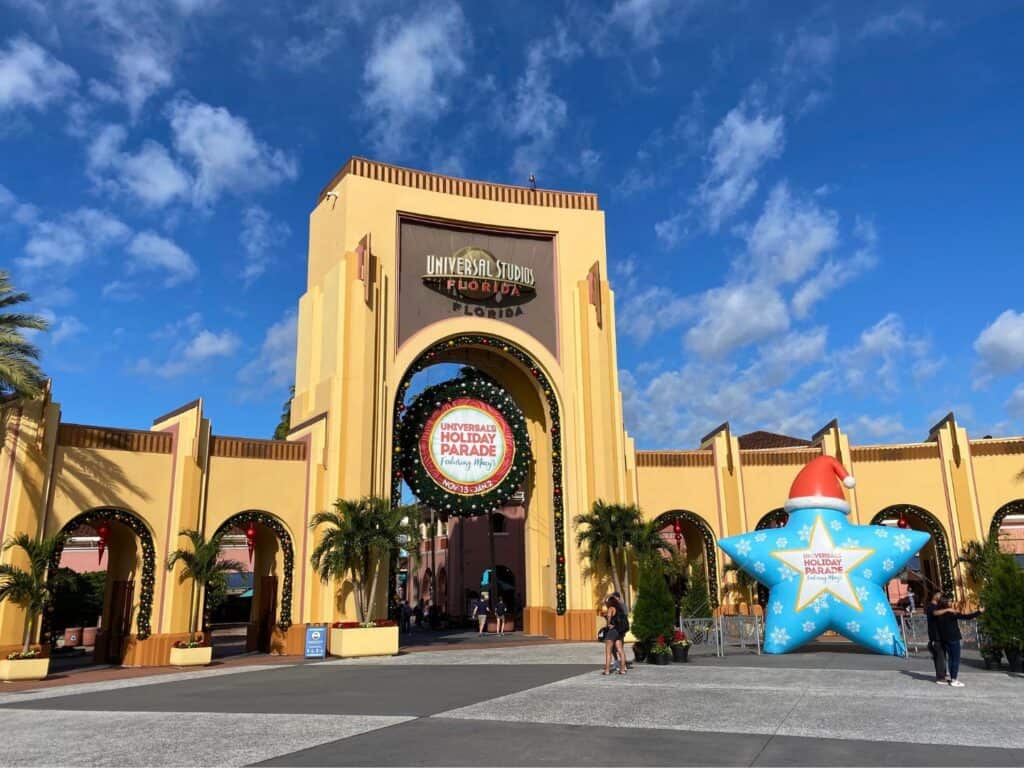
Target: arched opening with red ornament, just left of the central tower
(259,602)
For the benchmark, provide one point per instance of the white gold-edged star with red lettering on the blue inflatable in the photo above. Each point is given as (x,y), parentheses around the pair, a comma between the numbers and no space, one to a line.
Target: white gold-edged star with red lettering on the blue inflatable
(824,567)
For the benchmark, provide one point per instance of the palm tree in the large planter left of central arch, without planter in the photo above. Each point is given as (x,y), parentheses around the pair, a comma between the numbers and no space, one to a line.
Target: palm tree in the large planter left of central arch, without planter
(359,537)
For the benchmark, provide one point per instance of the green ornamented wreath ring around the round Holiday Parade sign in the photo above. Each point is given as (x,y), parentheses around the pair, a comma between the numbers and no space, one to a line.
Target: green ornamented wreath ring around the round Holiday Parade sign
(482,388)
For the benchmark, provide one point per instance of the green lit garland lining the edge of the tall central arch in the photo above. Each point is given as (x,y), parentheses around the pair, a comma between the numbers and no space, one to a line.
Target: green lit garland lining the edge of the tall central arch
(435,355)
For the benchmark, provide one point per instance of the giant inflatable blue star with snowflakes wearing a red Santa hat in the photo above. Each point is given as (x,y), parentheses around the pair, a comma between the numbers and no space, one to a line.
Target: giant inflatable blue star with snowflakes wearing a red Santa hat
(826,574)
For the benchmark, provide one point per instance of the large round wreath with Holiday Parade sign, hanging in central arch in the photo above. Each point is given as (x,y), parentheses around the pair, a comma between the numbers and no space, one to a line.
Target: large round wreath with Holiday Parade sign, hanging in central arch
(492,412)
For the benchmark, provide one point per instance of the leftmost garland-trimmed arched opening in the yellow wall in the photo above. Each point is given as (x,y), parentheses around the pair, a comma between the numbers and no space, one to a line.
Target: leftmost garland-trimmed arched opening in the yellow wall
(120,584)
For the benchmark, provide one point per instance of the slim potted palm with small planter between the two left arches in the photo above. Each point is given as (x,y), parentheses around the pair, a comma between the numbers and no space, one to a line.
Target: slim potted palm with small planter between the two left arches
(202,566)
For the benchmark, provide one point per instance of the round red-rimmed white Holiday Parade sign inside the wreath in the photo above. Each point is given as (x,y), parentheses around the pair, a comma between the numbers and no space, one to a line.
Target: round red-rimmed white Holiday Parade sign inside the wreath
(467,447)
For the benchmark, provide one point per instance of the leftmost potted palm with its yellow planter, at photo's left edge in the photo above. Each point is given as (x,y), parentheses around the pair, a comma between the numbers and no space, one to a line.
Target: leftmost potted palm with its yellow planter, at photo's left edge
(32,590)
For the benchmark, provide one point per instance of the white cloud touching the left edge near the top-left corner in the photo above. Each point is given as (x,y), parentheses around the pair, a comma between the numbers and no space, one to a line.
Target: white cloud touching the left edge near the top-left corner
(31,77)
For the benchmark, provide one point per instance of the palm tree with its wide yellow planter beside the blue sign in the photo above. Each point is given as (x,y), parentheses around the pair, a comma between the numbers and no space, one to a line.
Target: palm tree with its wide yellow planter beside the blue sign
(358,542)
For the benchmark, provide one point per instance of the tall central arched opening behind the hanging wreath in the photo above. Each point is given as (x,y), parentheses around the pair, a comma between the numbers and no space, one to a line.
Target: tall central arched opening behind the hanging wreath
(465,546)
